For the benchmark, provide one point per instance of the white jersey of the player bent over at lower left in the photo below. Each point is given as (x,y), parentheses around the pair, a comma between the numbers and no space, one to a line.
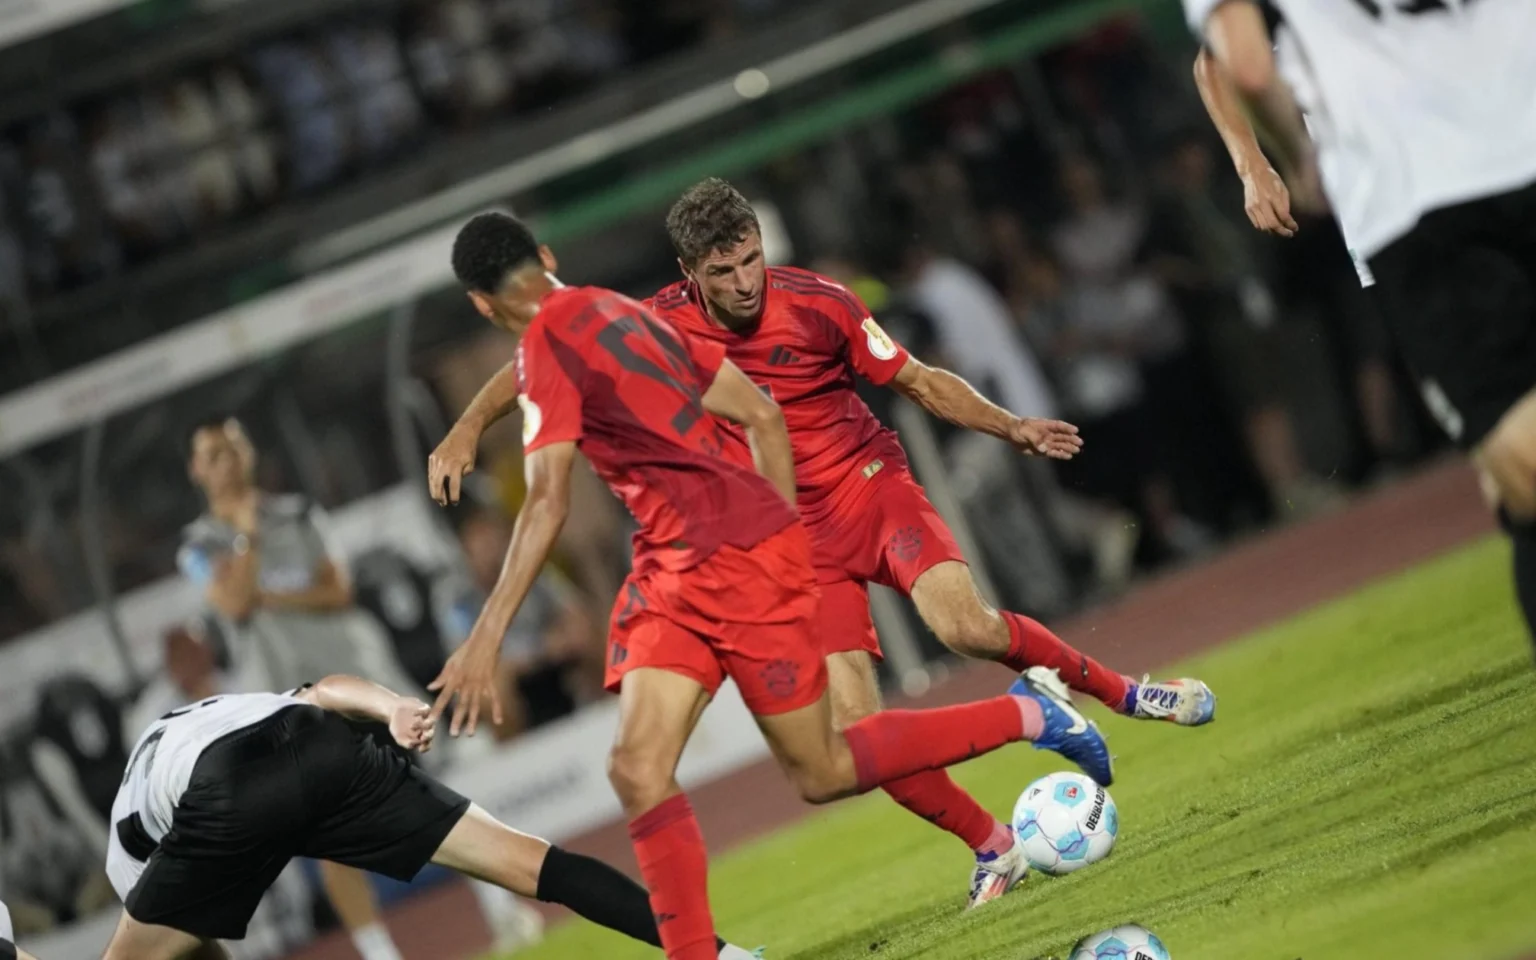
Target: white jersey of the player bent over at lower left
(161,769)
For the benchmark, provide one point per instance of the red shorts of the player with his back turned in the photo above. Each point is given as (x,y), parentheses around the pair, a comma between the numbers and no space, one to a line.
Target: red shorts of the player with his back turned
(743,614)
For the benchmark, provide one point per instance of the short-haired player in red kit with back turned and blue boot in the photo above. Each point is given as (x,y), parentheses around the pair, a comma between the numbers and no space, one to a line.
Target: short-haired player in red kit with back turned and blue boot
(723,581)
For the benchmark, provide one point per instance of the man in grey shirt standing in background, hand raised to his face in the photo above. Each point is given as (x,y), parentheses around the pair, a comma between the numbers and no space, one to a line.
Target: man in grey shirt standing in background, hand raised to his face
(265,566)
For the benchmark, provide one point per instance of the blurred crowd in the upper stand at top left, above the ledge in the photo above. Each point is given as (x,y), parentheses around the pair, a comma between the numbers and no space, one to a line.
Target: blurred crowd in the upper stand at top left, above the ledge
(124,176)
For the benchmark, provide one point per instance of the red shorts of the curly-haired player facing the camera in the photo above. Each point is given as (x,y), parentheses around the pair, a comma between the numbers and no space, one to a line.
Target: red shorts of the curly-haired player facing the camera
(892,537)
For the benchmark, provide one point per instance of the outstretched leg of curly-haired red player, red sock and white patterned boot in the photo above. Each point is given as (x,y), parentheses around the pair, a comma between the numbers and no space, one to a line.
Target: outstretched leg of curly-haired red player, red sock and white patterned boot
(964,621)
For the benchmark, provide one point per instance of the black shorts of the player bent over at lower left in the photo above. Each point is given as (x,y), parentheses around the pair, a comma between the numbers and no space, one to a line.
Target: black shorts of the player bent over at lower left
(300,784)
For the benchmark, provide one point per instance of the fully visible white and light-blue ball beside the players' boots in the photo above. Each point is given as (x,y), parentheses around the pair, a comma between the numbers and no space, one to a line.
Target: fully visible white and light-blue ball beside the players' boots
(1065,823)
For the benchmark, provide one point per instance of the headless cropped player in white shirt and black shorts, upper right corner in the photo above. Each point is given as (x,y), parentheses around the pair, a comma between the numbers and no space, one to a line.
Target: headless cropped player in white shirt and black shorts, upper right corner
(1422,128)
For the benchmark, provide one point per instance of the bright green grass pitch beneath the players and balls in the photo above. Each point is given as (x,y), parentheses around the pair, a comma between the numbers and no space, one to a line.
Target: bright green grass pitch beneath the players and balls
(1368,793)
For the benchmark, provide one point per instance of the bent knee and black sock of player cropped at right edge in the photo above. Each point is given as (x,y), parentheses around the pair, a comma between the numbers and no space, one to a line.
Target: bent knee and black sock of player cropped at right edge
(1508,466)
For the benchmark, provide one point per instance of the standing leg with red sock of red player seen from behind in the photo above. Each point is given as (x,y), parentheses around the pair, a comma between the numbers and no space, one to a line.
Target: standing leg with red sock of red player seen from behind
(658,712)
